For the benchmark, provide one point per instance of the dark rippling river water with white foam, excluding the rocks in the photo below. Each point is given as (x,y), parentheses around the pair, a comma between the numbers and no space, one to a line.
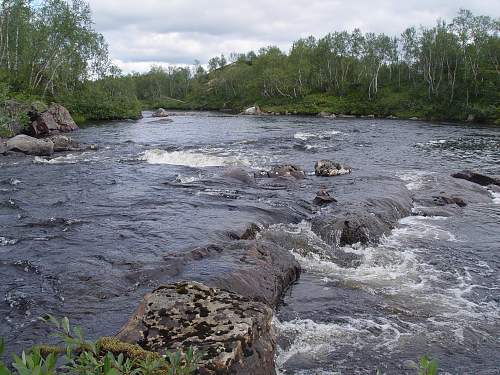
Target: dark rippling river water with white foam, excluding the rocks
(84,235)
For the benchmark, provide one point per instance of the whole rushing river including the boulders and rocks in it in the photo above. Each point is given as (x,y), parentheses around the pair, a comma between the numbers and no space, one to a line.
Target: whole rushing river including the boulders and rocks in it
(274,244)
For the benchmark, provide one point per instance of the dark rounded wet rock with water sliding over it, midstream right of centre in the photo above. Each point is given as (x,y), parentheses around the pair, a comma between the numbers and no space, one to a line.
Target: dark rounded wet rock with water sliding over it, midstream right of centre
(362,222)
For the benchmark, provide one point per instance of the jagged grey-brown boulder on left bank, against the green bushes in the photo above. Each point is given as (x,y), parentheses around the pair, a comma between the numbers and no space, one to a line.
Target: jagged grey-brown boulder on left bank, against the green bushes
(56,119)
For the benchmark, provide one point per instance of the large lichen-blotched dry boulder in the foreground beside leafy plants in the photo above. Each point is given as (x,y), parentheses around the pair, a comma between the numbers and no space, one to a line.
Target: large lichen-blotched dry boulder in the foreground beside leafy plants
(234,333)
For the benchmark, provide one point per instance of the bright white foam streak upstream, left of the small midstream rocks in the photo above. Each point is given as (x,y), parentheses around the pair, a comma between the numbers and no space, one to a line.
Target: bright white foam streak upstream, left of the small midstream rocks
(190,159)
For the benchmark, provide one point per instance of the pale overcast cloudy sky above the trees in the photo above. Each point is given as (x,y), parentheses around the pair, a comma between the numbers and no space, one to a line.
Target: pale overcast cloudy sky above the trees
(141,33)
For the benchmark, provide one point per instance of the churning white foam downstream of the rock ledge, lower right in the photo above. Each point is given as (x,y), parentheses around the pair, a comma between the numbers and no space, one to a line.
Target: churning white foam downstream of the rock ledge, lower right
(396,270)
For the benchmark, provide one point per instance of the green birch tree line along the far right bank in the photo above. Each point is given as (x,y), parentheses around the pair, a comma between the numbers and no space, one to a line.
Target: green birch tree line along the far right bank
(450,70)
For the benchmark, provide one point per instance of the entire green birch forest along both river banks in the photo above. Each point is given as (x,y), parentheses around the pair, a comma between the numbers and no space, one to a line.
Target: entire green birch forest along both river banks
(50,51)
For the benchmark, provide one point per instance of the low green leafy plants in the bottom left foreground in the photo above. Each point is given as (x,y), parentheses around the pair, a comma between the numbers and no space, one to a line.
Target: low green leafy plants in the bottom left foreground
(78,356)
